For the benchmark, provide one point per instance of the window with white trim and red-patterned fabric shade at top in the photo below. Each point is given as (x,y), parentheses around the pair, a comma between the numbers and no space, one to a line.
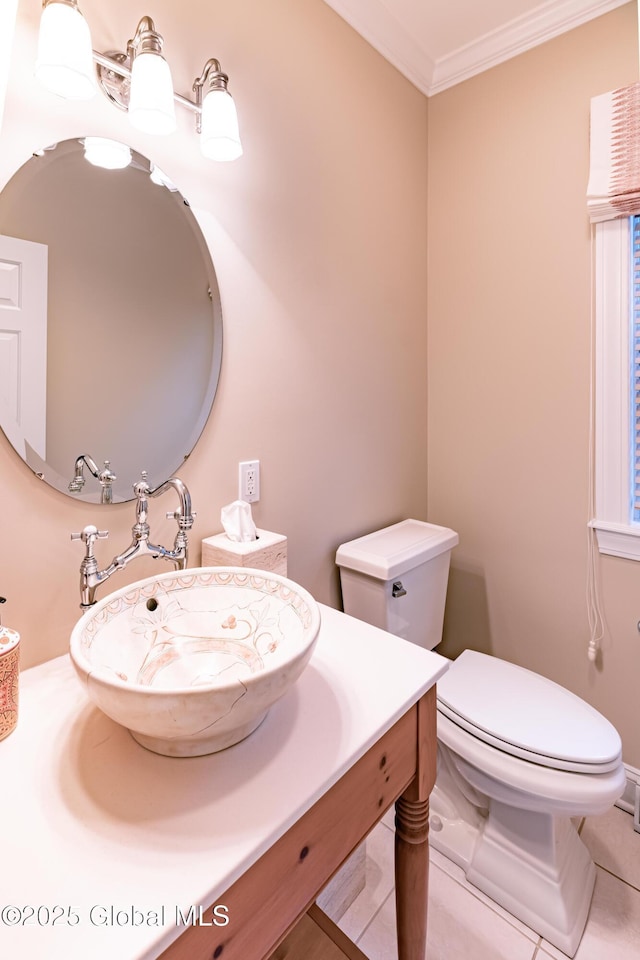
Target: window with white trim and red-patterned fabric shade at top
(613,202)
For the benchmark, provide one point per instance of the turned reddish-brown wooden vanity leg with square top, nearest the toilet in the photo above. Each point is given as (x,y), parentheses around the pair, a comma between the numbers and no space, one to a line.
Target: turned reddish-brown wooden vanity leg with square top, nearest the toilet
(412,840)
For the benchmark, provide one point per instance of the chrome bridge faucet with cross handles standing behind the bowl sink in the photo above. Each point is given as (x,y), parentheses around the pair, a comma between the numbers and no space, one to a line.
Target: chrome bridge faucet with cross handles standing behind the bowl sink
(91,577)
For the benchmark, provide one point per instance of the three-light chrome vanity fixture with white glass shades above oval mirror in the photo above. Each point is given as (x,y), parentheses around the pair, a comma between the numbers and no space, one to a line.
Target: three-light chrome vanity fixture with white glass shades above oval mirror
(138,81)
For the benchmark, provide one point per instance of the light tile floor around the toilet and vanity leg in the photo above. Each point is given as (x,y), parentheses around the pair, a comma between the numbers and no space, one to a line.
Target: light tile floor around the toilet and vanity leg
(465,925)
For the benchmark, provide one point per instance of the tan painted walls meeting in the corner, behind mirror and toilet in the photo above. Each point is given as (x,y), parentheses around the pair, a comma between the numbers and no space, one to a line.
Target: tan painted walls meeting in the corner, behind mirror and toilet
(319,239)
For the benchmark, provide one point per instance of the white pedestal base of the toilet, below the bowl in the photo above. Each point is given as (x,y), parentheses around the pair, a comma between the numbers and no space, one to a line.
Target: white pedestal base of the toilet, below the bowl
(532,864)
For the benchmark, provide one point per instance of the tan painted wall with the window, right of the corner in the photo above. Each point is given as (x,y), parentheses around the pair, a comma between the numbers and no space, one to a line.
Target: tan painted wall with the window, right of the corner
(509,341)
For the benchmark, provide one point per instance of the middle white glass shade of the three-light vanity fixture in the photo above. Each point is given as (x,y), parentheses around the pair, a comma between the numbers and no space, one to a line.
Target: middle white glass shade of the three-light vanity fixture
(151,107)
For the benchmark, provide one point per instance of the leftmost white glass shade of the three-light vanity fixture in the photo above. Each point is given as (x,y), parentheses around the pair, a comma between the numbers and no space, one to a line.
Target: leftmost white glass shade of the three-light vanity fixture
(64,64)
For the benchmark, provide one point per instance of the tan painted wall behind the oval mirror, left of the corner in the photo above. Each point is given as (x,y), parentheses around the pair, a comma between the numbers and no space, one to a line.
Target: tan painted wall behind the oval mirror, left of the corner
(318,235)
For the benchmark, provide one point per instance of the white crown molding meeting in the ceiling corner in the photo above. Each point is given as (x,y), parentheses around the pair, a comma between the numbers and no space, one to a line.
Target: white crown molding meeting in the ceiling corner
(375,22)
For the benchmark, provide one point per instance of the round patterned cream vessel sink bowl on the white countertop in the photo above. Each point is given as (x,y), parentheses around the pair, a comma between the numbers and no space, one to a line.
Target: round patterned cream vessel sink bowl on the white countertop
(190,661)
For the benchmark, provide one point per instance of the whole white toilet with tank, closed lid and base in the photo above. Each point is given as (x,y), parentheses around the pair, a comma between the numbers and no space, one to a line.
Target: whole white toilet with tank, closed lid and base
(518,755)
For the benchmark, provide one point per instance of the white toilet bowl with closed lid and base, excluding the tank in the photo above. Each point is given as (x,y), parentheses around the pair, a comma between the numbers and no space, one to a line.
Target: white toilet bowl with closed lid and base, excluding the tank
(518,758)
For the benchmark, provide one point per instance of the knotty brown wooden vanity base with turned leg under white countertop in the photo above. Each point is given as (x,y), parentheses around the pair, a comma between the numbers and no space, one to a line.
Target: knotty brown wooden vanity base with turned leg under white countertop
(271,906)
